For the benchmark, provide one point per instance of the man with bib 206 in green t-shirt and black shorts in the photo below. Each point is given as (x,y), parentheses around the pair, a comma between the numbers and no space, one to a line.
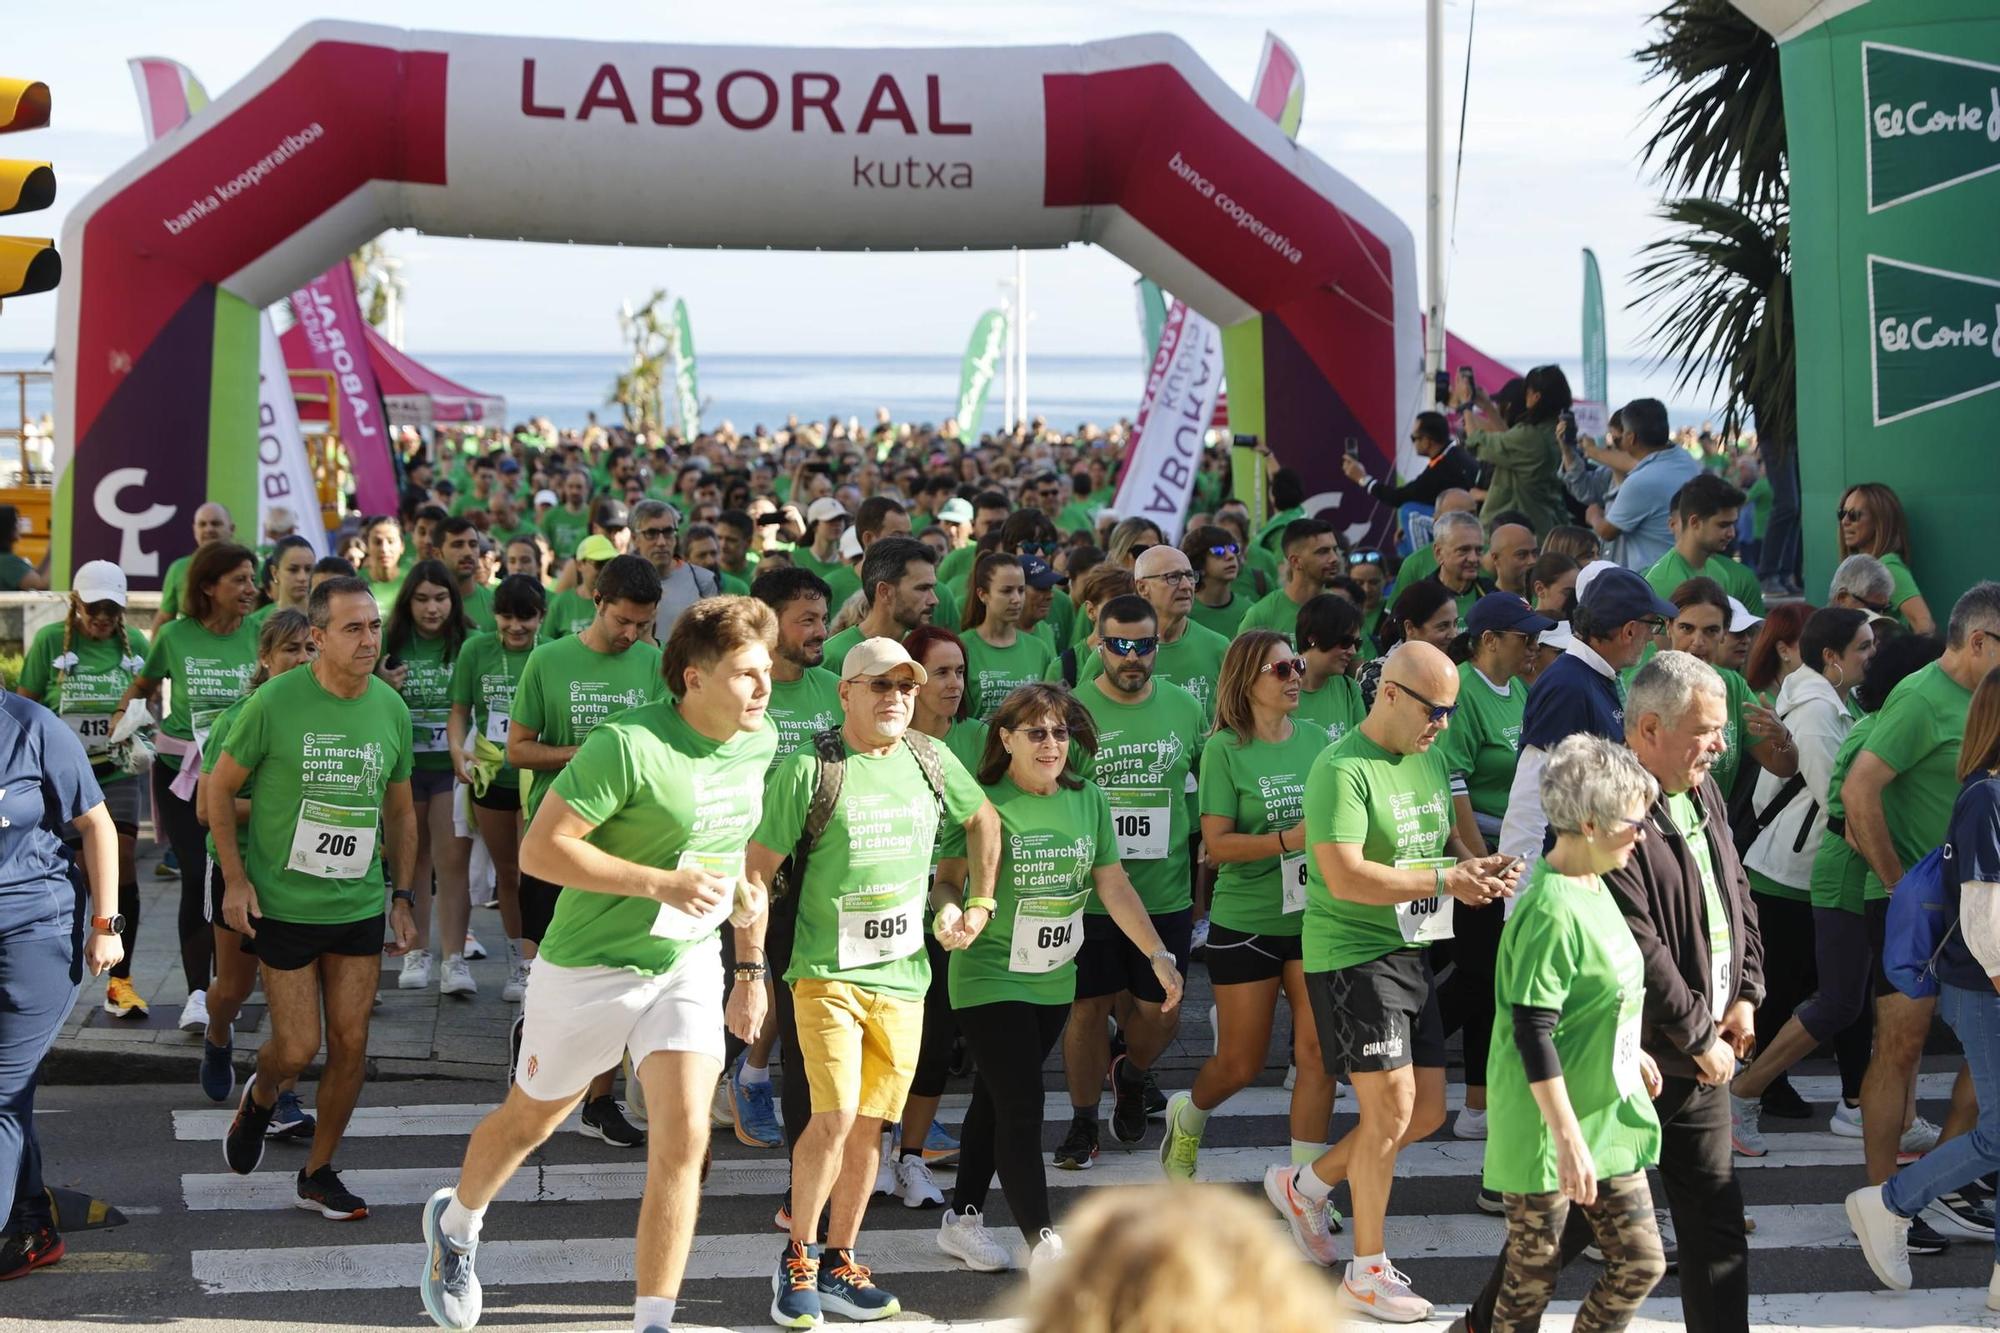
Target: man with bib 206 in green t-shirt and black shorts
(331,754)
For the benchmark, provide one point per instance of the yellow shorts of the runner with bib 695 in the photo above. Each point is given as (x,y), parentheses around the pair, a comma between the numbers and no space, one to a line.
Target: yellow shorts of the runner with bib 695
(859,1048)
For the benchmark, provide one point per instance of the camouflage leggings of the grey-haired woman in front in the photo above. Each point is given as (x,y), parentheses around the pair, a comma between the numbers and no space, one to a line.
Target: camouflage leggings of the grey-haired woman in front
(1625,1232)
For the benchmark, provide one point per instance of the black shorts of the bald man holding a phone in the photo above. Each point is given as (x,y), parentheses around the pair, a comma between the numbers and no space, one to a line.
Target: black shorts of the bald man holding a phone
(1379,1016)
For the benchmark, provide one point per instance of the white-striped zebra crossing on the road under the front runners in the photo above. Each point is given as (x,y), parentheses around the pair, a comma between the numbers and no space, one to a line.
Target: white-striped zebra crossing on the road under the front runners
(561,1234)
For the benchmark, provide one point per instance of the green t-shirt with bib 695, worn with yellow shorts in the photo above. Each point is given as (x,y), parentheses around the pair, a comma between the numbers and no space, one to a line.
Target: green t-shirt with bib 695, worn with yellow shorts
(863,902)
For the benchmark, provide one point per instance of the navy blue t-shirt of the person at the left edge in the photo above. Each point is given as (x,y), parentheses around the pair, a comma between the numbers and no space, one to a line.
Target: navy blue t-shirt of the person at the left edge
(45,786)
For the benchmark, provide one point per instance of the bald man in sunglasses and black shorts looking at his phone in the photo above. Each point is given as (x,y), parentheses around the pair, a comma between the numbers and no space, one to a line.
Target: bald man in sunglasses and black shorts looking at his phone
(1385,872)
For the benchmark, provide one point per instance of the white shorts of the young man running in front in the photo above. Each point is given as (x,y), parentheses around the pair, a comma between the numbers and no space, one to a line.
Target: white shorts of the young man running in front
(581,1022)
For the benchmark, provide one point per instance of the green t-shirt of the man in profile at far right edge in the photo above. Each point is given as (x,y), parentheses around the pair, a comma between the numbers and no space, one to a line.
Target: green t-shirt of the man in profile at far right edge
(1919,734)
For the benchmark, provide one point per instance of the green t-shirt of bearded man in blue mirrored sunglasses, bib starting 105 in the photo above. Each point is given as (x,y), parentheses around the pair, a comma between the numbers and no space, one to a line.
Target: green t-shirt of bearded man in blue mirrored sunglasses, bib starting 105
(1143,764)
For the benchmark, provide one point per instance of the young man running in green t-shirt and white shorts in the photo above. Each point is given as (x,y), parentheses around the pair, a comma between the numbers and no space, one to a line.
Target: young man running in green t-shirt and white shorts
(647,830)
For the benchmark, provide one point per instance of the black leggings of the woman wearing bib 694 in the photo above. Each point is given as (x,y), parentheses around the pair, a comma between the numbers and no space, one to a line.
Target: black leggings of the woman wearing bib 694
(1003,1130)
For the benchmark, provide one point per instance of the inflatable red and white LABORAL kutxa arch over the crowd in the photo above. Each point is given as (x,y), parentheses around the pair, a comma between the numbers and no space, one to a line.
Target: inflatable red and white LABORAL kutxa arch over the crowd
(349,131)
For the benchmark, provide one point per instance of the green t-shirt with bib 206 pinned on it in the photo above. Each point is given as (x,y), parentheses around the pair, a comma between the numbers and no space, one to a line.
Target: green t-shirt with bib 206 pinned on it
(323,768)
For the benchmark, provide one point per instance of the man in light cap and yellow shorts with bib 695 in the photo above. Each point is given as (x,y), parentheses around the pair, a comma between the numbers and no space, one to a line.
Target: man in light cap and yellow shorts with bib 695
(859,968)
